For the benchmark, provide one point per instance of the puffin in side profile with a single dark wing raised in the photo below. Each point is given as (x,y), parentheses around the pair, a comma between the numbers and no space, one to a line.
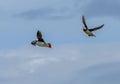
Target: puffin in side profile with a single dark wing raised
(40,42)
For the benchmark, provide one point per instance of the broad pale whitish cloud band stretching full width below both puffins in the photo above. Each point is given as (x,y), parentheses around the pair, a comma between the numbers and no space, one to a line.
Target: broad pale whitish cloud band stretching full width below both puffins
(28,61)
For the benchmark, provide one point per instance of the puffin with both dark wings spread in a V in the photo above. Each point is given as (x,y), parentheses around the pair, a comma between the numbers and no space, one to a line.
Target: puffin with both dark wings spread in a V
(89,31)
